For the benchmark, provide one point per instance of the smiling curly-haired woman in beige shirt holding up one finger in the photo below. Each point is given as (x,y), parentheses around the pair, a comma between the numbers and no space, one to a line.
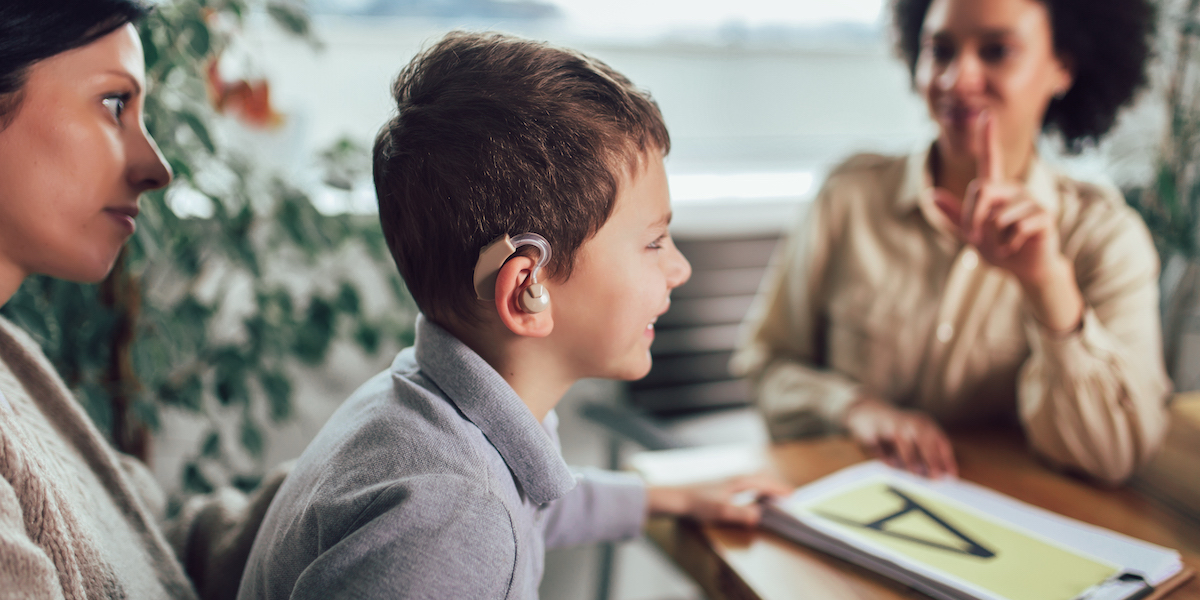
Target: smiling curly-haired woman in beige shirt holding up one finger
(971,281)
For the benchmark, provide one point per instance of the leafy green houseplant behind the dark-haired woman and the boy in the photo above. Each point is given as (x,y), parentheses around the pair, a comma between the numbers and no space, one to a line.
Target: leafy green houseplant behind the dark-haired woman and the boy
(195,315)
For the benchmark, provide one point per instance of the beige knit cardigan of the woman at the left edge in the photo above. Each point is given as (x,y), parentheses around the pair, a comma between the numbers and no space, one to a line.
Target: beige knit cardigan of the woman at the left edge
(77,520)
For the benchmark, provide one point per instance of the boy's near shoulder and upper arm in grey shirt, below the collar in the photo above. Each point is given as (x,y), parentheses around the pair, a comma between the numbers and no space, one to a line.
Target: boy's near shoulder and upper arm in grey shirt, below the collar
(397,472)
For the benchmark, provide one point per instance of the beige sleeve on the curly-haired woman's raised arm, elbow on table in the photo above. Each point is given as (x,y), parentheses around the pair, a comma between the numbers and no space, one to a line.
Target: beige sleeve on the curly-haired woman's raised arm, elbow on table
(1095,400)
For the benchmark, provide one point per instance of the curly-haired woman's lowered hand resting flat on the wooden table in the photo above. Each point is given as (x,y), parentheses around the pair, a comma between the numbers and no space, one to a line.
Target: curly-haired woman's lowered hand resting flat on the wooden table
(905,440)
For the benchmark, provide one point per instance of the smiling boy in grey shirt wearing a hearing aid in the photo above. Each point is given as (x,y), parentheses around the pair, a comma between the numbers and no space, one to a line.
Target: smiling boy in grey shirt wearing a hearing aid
(531,177)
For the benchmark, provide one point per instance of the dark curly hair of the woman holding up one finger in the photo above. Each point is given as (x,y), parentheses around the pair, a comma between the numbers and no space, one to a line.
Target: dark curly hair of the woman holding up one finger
(1107,43)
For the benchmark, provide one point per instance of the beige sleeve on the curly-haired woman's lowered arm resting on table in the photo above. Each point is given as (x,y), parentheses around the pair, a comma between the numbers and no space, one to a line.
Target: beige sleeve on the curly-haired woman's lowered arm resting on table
(782,350)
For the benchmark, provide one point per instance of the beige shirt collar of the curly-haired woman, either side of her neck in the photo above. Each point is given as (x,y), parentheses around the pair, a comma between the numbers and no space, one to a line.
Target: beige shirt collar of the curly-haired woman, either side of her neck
(917,185)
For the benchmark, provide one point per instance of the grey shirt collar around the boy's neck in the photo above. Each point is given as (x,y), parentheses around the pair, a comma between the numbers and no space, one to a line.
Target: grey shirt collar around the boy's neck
(488,401)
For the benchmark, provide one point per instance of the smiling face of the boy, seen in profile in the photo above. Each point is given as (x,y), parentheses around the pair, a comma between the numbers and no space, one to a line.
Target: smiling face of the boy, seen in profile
(605,314)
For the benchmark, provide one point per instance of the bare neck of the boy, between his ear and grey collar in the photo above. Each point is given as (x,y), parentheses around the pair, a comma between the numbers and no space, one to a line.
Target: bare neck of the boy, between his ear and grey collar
(538,380)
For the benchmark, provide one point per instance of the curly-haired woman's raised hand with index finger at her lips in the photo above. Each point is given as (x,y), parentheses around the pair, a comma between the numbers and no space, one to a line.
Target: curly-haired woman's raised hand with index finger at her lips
(1013,232)
